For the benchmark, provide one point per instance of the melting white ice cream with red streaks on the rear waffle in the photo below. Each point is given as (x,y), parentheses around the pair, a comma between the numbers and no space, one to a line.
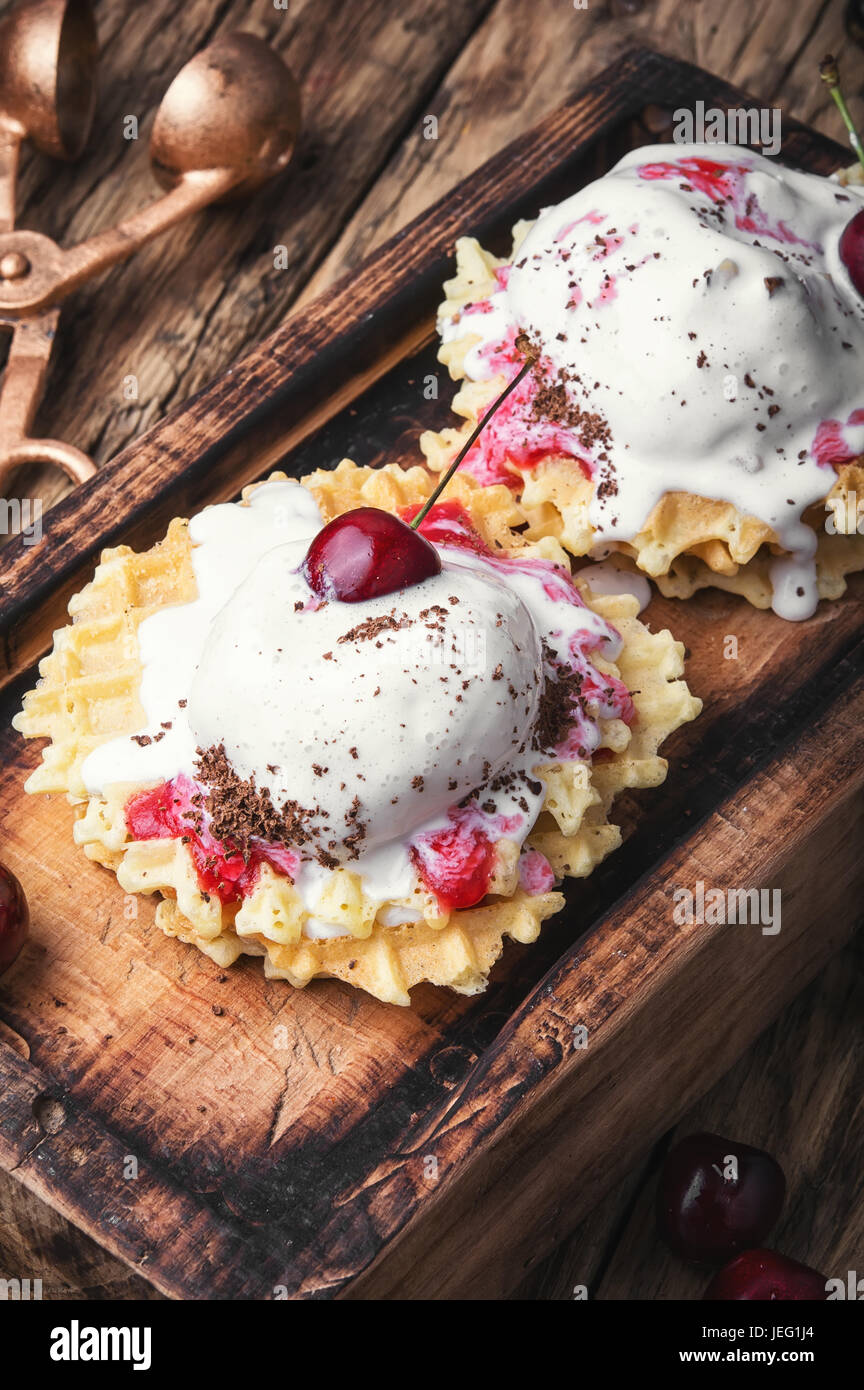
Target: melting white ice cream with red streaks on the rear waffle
(708,338)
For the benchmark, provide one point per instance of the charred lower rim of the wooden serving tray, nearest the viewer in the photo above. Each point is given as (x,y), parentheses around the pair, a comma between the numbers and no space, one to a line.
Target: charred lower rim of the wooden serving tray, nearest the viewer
(172,1234)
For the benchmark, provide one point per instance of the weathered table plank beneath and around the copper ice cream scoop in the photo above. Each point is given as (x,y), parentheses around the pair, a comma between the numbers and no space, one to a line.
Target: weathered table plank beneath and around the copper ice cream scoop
(185,306)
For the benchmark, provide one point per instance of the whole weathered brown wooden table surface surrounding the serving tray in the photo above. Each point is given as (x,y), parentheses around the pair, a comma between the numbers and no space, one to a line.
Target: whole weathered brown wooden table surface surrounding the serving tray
(149,334)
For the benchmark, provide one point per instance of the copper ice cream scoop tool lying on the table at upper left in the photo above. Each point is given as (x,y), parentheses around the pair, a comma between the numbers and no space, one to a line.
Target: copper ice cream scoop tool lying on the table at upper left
(227,124)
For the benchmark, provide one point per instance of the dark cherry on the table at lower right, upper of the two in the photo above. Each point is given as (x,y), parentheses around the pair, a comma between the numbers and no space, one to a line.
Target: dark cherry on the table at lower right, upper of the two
(717,1197)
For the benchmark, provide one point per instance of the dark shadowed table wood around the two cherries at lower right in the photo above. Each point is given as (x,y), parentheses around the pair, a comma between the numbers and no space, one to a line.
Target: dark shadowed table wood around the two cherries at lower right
(797,1093)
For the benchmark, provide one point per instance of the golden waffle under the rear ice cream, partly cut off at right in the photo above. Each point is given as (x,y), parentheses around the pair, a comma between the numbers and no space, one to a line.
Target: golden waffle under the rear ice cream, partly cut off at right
(688,543)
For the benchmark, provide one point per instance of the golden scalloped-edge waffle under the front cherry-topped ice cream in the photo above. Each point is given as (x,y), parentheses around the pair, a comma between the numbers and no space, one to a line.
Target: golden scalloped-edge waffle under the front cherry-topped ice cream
(88,694)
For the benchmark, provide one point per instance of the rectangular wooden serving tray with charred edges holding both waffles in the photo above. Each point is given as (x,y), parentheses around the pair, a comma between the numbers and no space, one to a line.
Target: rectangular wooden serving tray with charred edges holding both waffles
(230,1138)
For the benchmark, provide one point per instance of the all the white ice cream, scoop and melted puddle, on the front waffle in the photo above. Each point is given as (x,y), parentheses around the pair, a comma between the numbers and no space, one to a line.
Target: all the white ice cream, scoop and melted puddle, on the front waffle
(387,714)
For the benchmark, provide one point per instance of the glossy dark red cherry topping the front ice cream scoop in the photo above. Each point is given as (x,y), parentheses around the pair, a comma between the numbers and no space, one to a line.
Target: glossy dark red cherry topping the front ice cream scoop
(365,554)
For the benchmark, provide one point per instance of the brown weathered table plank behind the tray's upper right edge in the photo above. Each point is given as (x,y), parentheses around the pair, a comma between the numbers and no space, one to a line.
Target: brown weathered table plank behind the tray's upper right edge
(490,95)
